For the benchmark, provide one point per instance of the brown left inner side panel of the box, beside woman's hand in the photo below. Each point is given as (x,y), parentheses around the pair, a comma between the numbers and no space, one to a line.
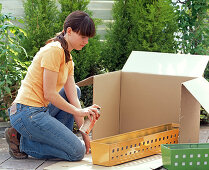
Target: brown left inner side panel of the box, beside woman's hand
(106,93)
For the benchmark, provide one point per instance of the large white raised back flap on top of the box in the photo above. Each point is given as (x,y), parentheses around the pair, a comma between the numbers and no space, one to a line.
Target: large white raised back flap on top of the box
(166,64)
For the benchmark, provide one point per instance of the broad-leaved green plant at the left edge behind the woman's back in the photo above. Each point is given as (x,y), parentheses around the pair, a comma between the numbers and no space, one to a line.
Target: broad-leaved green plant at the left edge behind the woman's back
(12,67)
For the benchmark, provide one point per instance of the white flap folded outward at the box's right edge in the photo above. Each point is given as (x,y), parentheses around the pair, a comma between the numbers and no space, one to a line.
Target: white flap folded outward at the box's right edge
(199,88)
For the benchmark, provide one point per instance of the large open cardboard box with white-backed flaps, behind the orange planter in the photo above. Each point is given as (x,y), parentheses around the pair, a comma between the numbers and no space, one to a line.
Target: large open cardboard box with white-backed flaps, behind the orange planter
(152,89)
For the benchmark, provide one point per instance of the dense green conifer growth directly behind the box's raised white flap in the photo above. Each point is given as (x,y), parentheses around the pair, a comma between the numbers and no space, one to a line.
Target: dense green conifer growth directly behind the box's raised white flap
(139,25)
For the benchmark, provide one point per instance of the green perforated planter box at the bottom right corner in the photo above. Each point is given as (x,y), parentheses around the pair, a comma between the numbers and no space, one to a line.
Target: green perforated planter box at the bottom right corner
(193,156)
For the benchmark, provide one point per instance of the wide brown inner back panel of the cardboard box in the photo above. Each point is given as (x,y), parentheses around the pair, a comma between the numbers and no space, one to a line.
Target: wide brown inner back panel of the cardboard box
(149,100)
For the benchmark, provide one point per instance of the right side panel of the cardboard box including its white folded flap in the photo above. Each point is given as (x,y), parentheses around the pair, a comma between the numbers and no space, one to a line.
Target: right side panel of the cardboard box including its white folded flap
(194,93)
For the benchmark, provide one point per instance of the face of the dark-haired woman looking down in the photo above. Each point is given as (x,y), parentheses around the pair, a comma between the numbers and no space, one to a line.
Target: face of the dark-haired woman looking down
(77,41)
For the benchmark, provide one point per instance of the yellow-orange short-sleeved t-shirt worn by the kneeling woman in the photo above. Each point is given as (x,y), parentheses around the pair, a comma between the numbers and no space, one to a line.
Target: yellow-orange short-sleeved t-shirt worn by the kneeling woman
(51,57)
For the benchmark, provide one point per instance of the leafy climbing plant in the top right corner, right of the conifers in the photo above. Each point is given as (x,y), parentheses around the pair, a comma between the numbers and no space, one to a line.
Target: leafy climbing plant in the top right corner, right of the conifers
(193,26)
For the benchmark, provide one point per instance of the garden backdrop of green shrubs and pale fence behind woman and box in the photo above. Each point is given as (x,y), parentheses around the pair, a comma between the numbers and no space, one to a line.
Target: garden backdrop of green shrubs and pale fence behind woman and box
(178,26)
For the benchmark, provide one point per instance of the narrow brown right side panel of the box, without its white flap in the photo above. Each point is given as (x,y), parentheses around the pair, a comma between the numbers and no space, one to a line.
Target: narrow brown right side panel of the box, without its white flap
(189,118)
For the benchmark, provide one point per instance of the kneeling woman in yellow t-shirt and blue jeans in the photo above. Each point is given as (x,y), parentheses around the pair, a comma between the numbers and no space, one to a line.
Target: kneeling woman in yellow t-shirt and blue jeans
(43,112)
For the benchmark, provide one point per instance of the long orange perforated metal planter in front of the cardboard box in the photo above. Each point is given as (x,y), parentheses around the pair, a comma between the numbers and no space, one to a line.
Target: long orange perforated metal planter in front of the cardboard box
(133,145)
